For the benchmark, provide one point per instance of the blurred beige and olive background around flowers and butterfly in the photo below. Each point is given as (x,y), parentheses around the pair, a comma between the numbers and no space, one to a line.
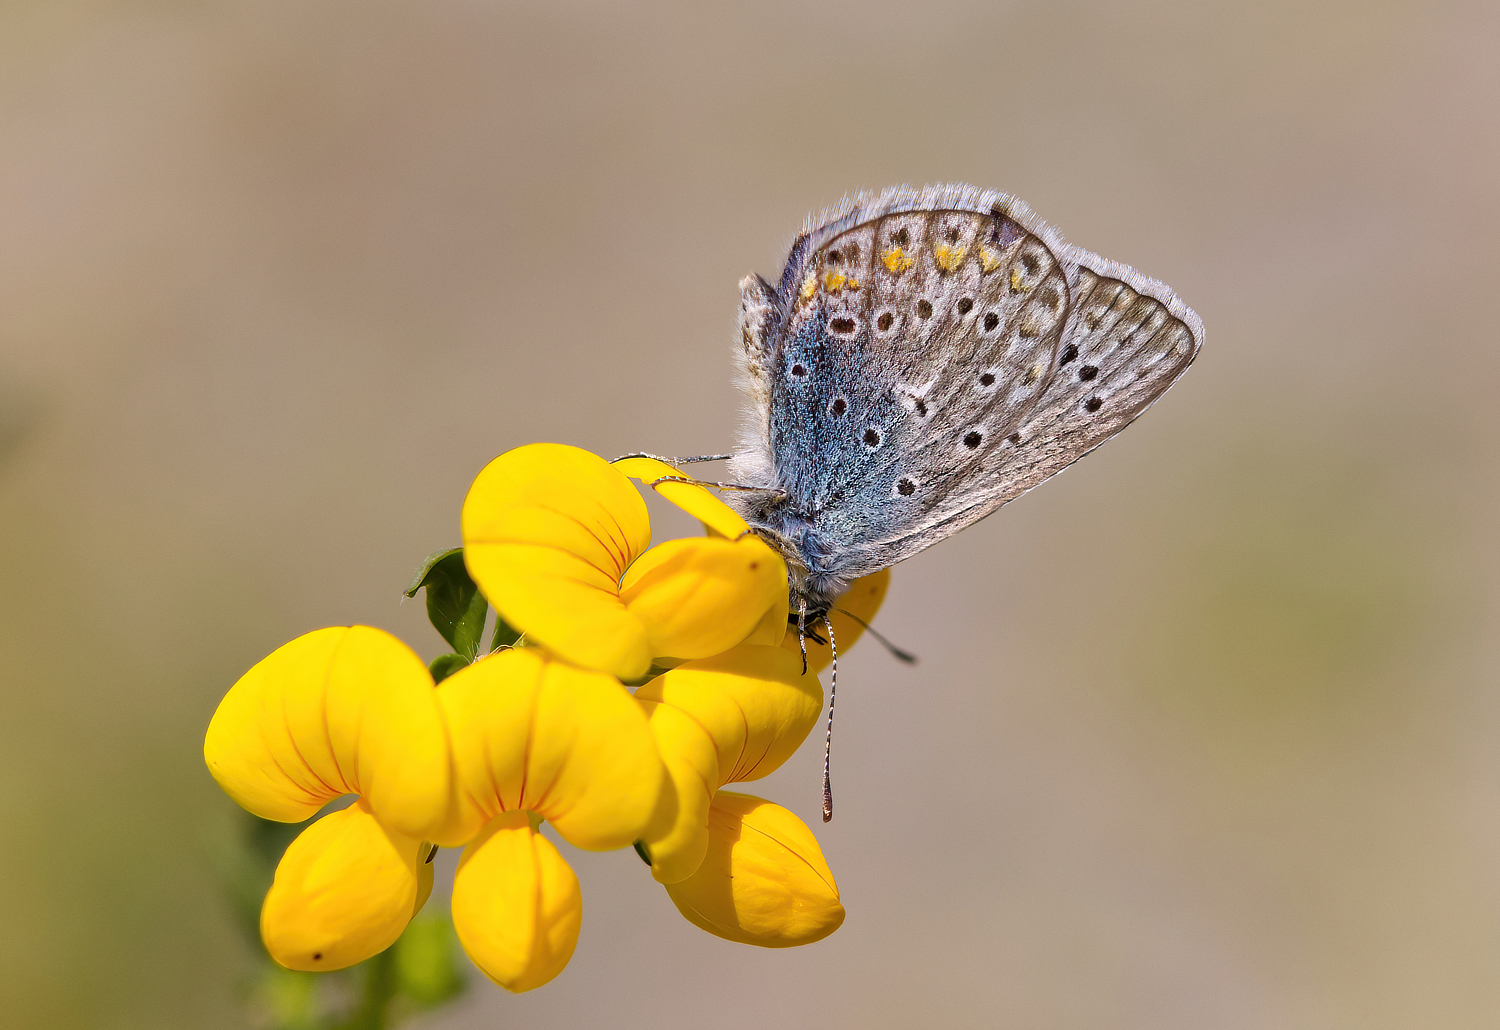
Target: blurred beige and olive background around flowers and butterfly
(1207,732)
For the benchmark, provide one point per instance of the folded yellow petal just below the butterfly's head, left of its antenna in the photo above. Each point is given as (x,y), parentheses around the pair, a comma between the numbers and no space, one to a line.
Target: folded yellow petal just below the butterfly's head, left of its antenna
(754,704)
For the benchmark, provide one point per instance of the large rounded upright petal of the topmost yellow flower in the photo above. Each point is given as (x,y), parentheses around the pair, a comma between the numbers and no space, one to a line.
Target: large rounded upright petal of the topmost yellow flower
(548,531)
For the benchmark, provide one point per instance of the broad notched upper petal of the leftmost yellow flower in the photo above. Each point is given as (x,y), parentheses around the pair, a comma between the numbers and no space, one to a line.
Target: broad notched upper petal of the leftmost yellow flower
(347,710)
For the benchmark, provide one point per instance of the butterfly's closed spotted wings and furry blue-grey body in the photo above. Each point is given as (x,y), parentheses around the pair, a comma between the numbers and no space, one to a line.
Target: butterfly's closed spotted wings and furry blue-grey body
(926,358)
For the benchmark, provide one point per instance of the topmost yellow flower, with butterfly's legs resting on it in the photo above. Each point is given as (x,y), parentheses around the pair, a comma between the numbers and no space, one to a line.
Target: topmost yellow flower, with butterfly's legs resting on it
(557,540)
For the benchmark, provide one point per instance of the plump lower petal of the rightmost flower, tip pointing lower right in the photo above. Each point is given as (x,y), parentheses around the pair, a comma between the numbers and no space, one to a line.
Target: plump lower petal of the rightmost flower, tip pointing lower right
(764,881)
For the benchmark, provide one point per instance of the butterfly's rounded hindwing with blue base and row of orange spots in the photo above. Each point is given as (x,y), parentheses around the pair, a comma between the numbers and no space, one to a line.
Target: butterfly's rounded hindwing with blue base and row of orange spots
(911,338)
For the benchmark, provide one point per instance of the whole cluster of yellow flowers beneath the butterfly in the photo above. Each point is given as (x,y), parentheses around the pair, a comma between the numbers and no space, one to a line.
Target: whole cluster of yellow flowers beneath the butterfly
(559,542)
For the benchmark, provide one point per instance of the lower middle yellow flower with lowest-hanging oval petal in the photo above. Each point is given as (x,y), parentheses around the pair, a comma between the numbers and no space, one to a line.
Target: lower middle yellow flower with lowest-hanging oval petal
(538,738)
